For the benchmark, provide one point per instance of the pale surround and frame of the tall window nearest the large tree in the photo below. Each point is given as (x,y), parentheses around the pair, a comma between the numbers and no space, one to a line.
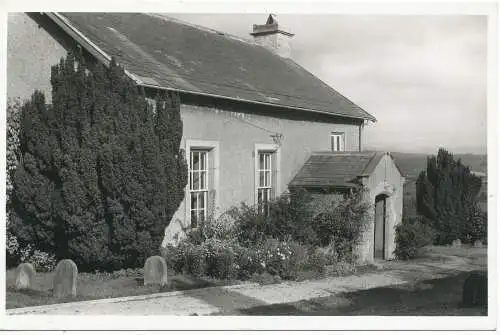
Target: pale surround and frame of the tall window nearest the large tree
(212,148)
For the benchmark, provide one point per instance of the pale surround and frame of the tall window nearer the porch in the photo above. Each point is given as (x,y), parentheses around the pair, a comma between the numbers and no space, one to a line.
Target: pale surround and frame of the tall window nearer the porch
(275,185)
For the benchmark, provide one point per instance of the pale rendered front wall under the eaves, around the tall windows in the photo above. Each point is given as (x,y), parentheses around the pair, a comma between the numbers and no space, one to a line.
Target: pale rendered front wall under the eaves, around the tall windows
(237,133)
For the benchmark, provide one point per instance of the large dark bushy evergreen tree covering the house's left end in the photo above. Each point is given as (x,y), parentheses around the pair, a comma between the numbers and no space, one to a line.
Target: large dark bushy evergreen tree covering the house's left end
(101,173)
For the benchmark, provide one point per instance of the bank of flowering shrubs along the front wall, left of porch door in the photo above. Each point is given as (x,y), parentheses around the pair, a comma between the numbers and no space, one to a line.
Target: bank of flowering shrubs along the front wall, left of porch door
(244,243)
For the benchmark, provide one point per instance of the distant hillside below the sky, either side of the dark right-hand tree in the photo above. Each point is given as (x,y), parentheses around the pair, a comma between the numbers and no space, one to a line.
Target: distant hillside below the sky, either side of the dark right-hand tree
(412,164)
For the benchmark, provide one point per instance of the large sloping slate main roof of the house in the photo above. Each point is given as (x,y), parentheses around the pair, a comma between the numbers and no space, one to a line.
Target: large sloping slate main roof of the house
(165,53)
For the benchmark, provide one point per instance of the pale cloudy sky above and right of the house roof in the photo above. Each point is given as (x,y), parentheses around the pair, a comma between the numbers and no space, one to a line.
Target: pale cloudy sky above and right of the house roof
(423,77)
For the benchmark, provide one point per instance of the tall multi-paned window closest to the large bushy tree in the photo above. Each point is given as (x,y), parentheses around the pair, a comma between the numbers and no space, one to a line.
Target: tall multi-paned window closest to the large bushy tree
(198,185)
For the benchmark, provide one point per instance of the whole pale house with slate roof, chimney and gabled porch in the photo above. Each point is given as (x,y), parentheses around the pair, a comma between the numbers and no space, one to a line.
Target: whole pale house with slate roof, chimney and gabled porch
(252,116)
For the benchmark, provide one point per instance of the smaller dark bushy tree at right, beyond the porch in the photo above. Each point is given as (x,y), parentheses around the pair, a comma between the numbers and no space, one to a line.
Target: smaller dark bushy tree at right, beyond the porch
(447,196)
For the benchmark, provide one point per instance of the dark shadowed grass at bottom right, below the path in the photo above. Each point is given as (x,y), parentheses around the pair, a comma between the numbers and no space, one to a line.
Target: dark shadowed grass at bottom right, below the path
(430,297)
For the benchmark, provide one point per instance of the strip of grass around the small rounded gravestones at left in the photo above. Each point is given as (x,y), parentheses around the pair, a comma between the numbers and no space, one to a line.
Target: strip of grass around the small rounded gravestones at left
(94,286)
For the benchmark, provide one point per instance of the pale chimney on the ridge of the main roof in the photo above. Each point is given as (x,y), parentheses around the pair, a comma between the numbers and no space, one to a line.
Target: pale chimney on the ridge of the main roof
(273,36)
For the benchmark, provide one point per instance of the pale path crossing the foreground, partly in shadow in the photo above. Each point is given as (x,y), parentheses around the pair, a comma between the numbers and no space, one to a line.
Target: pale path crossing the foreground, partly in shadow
(219,299)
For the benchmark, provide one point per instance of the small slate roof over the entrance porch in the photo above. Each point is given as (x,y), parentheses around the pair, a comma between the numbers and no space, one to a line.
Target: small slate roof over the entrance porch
(336,169)
